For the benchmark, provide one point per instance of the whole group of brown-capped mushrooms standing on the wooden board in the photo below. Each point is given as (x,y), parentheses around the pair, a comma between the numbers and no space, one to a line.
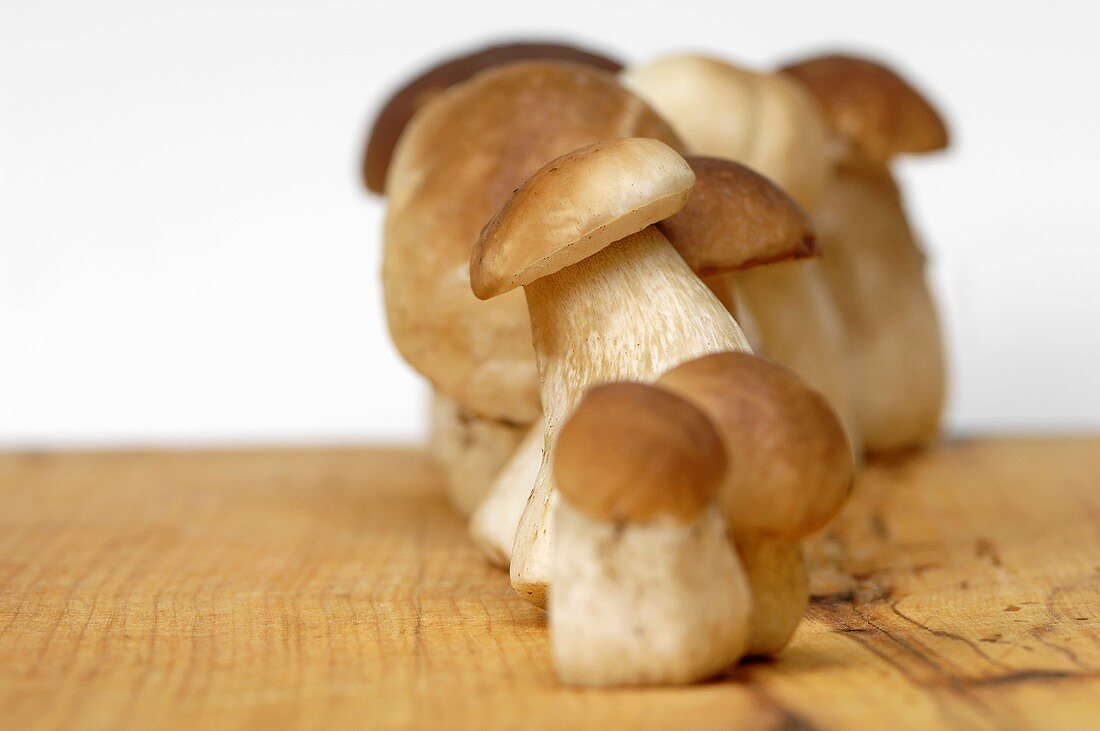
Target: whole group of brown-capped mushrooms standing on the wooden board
(584,260)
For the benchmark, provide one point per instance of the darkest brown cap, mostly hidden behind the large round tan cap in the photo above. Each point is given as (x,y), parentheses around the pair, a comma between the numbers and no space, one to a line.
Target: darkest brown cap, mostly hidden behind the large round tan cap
(406,102)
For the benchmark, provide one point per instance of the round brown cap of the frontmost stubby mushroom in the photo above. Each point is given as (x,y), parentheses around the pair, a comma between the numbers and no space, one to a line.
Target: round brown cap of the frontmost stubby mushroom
(633,452)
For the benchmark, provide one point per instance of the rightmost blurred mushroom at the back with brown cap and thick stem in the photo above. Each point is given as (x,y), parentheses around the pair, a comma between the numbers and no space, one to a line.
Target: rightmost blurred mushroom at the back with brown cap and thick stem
(874,265)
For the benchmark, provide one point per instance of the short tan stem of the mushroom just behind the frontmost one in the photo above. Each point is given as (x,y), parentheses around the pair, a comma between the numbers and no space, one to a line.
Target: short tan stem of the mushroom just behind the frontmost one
(777,574)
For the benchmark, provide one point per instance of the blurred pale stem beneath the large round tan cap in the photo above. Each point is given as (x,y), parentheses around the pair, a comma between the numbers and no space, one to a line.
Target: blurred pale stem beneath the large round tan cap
(470,449)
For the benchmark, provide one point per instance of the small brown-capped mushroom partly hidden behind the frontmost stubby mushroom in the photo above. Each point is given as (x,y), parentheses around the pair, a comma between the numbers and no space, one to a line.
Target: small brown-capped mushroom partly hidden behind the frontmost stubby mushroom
(791,470)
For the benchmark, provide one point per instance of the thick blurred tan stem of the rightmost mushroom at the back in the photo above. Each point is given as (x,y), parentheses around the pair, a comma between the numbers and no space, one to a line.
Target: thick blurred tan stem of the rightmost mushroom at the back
(876,273)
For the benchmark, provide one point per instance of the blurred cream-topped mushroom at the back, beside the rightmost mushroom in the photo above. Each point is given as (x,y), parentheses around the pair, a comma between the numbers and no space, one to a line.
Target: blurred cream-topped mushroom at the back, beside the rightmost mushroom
(768,123)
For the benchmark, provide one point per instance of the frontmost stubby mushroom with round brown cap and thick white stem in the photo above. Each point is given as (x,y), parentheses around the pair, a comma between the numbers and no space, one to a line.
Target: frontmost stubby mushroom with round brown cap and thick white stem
(647,589)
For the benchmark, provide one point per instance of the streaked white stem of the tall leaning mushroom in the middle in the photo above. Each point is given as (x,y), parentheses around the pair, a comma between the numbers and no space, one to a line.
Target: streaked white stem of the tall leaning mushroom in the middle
(628,313)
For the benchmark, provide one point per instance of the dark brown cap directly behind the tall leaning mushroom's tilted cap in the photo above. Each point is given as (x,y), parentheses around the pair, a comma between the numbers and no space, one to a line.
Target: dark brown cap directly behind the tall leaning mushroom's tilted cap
(735,218)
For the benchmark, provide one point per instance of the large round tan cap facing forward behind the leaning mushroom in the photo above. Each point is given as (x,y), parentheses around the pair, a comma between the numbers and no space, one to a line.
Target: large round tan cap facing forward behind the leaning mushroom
(455,167)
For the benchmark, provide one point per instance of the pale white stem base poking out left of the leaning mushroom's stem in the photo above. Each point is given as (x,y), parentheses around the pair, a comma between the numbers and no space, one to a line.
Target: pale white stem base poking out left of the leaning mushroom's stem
(493,525)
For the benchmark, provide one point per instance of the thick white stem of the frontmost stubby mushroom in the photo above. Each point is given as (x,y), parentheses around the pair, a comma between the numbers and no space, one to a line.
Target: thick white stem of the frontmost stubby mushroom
(646,604)
